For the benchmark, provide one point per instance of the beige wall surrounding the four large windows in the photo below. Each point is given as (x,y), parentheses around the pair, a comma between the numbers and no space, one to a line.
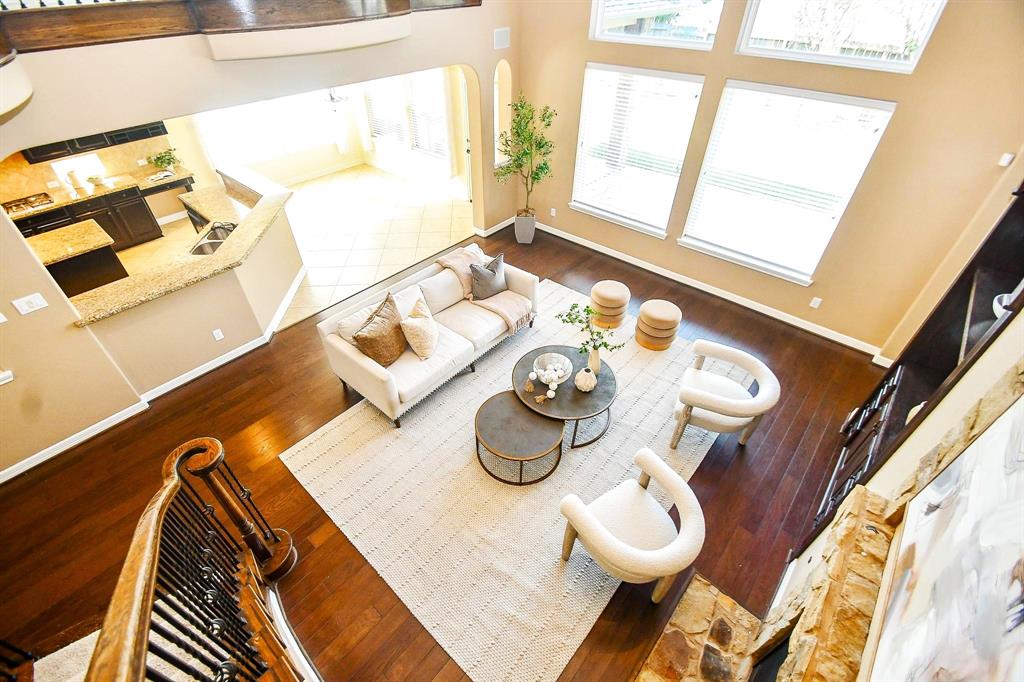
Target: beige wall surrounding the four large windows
(961,109)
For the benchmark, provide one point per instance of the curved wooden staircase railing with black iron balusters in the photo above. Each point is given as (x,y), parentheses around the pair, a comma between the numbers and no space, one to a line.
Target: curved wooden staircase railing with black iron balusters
(192,600)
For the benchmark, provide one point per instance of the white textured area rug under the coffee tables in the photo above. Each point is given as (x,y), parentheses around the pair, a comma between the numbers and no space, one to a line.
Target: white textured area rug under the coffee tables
(477,561)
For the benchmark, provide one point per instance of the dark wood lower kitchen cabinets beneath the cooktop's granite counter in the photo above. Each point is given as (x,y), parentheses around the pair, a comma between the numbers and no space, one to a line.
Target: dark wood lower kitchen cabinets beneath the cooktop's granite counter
(124,216)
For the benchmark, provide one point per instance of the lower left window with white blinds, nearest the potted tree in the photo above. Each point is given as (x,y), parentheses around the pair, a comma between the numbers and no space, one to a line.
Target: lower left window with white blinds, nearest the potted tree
(634,127)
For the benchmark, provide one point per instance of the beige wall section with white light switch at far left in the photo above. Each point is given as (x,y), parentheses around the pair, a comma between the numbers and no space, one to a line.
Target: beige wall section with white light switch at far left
(64,379)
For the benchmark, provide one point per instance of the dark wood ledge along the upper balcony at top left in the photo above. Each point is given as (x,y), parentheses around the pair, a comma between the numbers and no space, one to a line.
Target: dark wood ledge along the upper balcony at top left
(79,26)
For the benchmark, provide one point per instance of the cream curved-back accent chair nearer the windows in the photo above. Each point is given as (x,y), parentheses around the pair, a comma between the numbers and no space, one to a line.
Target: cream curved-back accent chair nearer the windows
(719,404)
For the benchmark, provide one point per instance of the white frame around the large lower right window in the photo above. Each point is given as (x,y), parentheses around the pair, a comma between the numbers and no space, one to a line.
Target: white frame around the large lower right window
(754,263)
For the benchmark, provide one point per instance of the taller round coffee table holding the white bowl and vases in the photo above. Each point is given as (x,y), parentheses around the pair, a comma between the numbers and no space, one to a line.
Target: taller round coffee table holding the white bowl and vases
(570,405)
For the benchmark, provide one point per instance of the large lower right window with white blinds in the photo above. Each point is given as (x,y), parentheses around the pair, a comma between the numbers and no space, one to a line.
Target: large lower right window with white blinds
(780,170)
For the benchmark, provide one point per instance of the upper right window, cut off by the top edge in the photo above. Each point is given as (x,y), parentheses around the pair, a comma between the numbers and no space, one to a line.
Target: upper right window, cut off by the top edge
(887,35)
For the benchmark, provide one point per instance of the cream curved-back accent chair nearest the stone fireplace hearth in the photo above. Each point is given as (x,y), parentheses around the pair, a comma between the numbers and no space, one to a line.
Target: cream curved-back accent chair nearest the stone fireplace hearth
(630,535)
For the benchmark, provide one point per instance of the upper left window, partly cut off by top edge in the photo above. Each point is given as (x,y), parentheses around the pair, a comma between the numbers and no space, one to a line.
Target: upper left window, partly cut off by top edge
(692,24)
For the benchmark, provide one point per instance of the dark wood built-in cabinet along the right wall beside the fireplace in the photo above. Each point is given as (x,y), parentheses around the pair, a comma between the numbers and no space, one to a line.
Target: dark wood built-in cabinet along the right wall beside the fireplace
(956,334)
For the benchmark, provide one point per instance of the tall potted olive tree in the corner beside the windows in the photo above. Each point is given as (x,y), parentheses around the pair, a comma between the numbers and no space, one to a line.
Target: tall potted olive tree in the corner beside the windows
(527,149)
